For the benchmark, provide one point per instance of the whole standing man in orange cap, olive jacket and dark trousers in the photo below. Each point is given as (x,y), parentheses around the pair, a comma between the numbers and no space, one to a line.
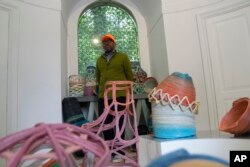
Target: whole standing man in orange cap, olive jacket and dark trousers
(111,66)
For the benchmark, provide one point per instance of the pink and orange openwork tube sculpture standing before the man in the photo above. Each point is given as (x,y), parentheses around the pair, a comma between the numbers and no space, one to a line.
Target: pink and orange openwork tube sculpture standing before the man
(118,144)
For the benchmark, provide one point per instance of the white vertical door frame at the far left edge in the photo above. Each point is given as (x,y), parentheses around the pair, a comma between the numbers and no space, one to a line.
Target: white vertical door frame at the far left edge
(11,12)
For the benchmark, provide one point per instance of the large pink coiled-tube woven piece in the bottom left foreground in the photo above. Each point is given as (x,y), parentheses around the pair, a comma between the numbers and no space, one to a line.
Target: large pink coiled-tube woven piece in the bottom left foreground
(59,141)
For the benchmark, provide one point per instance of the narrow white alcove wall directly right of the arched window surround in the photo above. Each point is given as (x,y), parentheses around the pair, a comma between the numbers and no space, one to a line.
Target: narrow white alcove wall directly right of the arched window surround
(152,11)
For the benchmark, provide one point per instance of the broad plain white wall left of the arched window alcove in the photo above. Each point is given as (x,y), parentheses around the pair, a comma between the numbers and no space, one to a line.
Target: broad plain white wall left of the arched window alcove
(34,93)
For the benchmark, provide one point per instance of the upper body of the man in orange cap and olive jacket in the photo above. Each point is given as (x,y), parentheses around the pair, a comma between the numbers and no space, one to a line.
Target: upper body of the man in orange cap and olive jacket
(112,65)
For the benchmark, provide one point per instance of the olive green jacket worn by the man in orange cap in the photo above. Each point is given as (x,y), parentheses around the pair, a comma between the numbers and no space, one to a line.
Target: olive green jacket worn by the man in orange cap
(118,68)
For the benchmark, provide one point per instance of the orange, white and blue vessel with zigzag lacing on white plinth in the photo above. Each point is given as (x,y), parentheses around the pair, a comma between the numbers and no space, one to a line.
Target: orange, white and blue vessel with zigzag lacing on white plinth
(173,107)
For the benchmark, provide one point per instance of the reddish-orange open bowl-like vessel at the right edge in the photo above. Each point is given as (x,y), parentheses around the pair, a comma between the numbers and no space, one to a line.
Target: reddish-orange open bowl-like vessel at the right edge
(237,119)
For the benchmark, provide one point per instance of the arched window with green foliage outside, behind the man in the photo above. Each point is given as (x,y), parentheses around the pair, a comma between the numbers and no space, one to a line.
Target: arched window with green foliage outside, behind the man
(101,18)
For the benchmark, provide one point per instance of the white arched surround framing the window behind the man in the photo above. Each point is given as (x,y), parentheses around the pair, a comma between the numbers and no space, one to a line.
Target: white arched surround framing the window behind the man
(72,45)
